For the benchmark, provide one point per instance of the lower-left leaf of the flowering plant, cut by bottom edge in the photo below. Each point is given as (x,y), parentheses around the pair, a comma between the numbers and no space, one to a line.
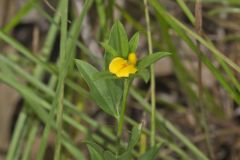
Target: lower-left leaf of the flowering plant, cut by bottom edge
(95,151)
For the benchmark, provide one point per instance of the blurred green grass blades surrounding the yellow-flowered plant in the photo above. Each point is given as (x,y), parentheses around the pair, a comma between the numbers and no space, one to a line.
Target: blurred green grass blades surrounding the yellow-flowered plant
(51,104)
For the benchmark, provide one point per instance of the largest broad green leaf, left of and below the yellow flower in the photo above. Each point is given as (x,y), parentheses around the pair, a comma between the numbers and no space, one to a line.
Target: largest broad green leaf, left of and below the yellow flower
(106,93)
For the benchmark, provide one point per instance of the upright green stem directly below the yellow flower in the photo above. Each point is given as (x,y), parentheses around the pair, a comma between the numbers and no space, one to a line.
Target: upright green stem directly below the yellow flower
(126,86)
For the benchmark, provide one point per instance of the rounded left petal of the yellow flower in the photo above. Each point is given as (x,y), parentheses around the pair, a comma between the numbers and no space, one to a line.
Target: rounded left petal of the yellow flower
(117,64)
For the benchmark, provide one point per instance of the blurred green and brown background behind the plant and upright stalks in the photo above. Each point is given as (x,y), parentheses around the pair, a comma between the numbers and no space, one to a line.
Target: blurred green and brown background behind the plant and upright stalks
(29,56)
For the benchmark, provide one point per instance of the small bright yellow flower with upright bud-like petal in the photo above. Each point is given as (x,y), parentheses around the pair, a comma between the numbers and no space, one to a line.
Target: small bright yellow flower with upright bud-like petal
(123,68)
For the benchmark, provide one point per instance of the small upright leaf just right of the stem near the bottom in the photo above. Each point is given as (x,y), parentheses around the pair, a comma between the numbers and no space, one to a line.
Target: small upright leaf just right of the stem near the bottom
(135,135)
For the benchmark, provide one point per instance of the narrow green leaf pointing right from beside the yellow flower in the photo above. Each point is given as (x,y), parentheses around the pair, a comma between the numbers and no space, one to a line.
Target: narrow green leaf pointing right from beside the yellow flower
(150,59)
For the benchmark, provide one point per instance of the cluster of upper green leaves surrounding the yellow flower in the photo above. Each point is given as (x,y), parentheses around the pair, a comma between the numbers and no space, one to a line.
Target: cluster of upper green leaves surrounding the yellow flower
(106,88)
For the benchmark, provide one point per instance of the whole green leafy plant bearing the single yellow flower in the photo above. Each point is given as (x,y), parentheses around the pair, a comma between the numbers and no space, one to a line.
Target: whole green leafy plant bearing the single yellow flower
(109,89)
